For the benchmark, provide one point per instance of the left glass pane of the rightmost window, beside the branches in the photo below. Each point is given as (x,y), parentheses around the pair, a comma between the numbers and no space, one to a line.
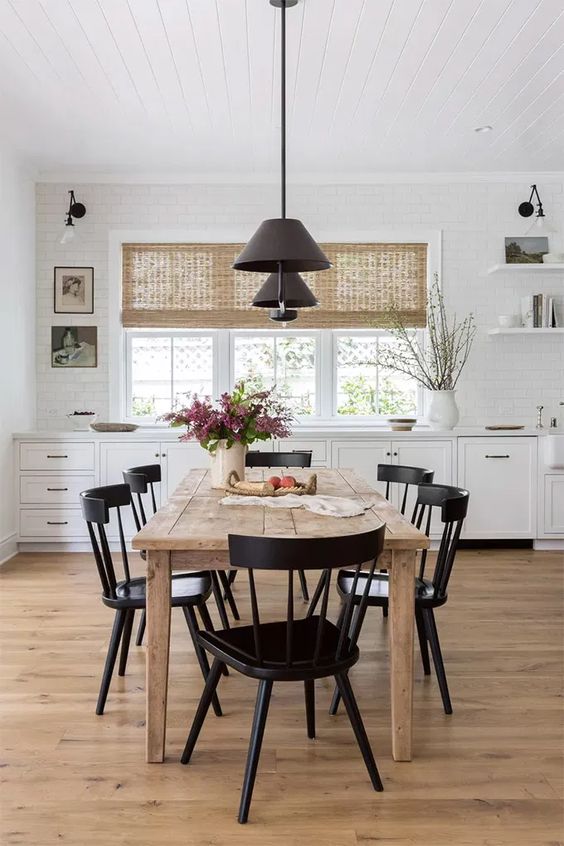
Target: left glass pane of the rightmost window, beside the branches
(357,375)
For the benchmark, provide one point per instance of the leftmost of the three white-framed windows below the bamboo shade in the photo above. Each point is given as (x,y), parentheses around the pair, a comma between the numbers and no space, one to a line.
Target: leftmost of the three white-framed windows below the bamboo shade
(164,367)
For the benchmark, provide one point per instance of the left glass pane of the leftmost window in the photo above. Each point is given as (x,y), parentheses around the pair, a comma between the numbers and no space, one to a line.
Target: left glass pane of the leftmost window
(150,376)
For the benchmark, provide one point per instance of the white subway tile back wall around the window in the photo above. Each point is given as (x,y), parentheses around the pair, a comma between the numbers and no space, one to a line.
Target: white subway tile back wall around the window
(507,376)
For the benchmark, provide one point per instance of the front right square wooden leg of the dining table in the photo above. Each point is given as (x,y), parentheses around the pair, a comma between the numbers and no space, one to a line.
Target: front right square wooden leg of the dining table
(402,612)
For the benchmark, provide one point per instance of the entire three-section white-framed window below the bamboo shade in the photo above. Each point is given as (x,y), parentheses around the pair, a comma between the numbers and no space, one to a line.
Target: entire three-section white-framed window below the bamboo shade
(323,374)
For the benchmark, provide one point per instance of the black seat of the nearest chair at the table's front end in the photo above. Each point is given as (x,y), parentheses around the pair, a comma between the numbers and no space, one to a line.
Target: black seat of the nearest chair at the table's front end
(236,647)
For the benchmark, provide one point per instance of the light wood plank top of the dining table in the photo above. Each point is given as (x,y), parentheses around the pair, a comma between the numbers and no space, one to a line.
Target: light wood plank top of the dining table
(194,519)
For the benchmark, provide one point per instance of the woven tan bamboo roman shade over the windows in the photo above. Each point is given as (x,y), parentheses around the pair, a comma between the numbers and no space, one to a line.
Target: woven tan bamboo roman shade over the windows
(194,286)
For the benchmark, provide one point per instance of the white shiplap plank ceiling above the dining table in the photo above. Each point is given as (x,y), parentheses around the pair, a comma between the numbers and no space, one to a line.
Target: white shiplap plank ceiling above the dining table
(373,85)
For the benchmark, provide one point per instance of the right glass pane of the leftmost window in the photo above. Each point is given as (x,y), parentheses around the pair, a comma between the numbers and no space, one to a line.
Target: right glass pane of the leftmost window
(192,368)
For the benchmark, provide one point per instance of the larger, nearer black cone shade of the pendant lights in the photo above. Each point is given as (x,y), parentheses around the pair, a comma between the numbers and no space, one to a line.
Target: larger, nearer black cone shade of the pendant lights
(282,240)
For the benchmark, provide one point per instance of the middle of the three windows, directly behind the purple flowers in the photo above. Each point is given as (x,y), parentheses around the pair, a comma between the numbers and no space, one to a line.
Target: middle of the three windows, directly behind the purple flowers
(287,361)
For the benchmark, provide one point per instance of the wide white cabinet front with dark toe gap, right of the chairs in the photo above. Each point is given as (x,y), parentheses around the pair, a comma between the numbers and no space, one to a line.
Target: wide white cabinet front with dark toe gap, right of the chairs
(500,474)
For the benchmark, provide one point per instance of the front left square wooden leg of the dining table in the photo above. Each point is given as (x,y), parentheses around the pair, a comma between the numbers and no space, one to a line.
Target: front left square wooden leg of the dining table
(158,643)
